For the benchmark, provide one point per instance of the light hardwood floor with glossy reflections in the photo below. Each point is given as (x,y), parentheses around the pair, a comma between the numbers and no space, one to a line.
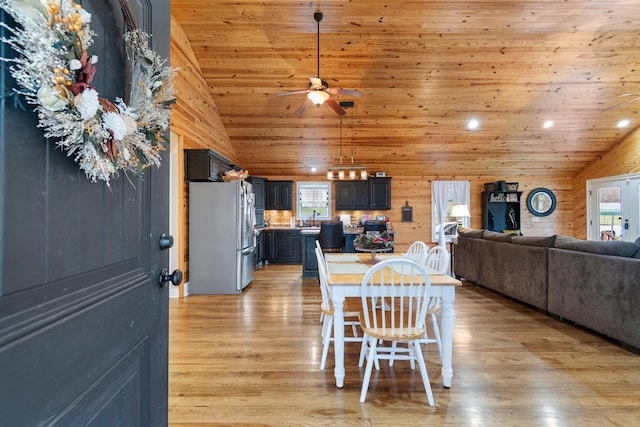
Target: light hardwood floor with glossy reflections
(254,360)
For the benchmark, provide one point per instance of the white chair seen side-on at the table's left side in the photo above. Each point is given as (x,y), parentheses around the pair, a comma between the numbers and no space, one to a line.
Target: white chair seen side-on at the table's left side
(351,313)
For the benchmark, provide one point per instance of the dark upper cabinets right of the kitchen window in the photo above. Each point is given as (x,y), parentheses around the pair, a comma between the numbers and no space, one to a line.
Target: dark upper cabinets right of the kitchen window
(373,194)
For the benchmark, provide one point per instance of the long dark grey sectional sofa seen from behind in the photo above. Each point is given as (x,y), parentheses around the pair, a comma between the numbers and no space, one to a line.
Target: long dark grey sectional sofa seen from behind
(595,284)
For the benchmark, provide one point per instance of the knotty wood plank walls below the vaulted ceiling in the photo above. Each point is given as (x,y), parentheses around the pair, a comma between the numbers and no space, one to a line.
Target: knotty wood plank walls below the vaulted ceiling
(198,125)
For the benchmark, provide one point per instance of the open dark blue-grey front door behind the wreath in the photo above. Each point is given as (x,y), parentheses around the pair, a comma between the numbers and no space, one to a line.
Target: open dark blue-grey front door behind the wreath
(83,321)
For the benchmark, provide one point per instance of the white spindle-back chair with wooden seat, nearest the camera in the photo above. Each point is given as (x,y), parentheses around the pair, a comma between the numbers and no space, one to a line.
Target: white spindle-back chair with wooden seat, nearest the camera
(394,296)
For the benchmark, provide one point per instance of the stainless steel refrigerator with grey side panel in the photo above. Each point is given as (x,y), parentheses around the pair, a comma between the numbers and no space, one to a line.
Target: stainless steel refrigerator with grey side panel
(221,237)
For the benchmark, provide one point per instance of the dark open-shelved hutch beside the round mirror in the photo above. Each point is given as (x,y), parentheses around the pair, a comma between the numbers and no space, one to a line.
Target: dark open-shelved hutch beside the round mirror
(501,210)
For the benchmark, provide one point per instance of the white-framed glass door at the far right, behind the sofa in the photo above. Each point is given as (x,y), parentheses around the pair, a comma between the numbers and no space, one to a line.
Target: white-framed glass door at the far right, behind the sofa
(614,206)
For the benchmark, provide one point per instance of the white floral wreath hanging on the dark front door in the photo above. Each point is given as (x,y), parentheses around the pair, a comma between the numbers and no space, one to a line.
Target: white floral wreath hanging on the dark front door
(54,71)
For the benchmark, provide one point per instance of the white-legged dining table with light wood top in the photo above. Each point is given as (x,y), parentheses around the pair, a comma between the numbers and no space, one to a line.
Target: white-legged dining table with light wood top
(345,272)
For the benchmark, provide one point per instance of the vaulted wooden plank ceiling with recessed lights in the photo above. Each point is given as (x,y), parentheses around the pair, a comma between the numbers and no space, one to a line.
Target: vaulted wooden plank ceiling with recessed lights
(424,69)
